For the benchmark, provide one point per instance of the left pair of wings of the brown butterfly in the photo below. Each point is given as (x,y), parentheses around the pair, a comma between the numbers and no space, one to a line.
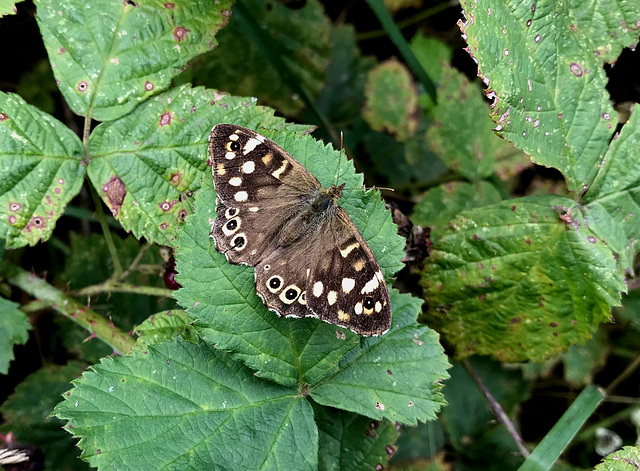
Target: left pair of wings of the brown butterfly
(259,187)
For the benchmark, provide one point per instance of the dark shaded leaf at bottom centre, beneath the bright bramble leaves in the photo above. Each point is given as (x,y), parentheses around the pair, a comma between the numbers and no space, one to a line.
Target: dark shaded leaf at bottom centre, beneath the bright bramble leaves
(350,441)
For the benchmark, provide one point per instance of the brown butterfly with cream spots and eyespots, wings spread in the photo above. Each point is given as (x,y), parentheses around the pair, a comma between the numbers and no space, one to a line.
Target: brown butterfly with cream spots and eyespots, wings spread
(309,258)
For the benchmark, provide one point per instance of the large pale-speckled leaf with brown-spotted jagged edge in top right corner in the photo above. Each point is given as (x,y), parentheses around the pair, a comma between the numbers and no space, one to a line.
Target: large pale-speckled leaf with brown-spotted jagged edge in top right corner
(543,65)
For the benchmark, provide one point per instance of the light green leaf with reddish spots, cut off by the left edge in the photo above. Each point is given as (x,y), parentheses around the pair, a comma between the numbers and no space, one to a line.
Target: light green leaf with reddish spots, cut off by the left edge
(42,171)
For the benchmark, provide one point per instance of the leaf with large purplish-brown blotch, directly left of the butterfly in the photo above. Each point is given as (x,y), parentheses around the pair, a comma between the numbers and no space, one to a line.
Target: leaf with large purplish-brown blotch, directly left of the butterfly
(146,164)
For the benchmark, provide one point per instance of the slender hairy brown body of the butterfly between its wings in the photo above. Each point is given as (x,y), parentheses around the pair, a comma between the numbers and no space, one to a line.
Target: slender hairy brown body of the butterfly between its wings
(320,205)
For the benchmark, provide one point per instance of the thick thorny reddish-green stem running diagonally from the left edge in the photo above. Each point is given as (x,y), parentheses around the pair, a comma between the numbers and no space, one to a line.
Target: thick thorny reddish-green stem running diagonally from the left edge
(97,325)
